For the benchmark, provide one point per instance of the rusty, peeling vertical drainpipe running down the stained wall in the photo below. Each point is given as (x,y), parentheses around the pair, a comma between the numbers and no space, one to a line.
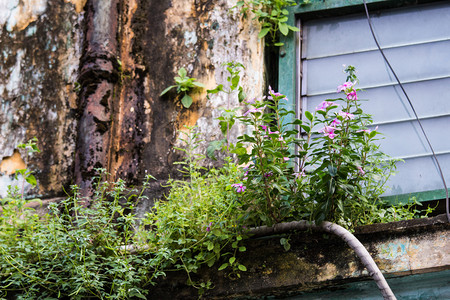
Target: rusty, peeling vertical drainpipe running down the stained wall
(98,77)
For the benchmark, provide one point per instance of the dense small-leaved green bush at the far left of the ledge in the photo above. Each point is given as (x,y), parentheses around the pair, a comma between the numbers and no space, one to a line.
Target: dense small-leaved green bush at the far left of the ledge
(75,251)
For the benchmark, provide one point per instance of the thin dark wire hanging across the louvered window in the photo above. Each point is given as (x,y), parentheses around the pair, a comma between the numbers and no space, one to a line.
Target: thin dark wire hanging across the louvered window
(413,109)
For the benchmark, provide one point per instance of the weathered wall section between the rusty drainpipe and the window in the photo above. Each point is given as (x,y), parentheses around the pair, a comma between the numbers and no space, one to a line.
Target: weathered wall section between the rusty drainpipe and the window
(199,35)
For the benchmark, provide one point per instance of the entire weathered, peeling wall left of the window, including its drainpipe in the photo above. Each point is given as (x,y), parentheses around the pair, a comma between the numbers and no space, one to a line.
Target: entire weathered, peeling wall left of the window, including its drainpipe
(120,55)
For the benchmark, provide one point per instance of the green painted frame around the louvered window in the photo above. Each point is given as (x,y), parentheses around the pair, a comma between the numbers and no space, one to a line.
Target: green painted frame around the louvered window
(289,74)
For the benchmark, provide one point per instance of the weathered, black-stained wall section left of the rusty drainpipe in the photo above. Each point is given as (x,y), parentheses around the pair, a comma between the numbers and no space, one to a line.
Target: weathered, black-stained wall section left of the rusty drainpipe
(40,44)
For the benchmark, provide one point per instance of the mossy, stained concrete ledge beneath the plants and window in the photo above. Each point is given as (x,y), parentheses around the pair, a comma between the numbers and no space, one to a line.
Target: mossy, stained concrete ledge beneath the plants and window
(318,260)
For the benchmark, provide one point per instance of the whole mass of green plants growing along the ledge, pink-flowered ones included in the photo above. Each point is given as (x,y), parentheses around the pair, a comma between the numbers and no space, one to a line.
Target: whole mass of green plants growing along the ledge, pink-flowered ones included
(105,252)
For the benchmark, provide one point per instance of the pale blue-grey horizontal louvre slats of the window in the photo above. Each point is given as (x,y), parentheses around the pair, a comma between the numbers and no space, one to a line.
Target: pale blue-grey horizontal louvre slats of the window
(417,43)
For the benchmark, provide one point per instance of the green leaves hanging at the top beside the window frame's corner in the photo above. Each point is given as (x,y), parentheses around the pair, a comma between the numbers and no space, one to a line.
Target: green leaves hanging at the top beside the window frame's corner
(272,15)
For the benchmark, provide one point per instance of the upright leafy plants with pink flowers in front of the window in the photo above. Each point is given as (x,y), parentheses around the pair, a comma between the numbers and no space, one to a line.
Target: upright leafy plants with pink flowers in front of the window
(338,173)
